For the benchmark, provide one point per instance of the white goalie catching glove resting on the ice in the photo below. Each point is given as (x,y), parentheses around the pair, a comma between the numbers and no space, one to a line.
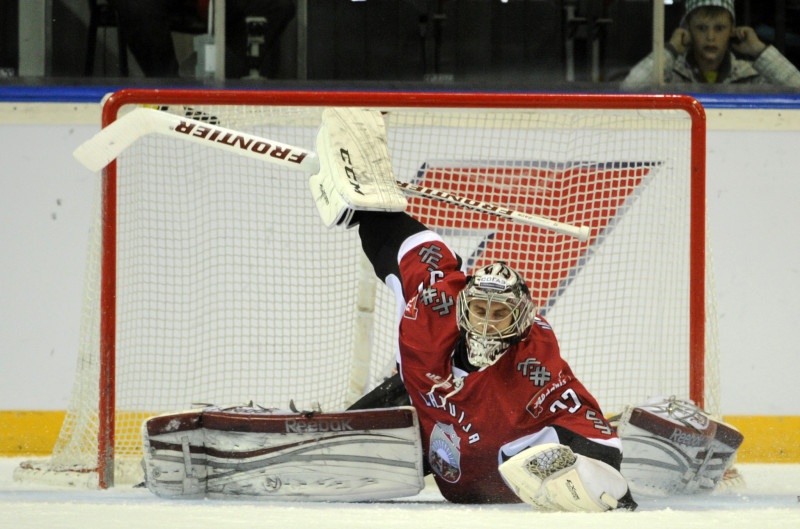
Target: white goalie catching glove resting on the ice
(550,477)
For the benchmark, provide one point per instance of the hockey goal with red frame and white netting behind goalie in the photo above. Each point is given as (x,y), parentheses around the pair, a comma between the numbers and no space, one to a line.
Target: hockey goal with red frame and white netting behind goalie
(211,279)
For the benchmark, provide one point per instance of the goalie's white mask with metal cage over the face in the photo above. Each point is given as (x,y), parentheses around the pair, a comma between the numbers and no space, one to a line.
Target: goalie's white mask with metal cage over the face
(494,312)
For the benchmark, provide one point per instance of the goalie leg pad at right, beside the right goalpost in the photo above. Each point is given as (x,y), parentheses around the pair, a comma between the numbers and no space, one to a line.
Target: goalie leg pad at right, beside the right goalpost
(671,446)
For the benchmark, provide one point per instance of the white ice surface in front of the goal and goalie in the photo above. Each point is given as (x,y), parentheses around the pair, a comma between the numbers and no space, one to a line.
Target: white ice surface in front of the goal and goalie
(770,498)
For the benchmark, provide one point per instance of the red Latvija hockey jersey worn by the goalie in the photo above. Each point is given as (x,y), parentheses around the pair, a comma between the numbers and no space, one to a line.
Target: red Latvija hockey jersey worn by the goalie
(467,419)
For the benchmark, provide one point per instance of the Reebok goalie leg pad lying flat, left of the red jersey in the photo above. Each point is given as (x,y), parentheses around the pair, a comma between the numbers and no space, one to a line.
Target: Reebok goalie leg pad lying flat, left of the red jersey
(252,452)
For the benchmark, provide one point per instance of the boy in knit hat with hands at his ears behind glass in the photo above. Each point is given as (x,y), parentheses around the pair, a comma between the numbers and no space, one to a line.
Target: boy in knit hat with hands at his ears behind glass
(709,48)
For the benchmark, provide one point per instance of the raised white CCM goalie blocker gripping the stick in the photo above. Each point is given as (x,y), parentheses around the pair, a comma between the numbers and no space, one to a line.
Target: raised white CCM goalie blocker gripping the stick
(355,167)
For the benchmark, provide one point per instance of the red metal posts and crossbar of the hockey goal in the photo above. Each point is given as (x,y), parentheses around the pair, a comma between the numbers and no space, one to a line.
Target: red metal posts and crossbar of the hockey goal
(106,434)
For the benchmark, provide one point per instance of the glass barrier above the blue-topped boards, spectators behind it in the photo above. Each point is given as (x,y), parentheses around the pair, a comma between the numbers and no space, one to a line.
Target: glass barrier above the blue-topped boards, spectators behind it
(530,45)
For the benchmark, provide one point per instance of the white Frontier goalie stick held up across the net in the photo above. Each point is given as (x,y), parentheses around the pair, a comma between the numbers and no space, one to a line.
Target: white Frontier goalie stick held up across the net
(110,142)
